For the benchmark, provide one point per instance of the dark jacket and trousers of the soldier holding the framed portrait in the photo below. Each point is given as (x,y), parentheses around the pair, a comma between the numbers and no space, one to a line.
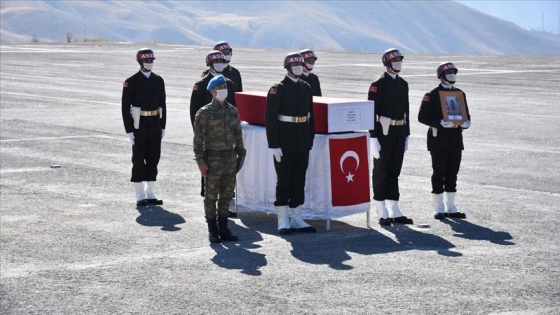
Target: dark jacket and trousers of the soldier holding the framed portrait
(446,147)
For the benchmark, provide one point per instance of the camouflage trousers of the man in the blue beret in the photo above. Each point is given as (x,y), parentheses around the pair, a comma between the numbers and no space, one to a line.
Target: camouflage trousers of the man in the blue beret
(220,185)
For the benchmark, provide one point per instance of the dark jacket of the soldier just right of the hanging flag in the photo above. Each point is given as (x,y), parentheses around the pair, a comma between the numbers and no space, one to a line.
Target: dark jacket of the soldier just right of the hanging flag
(391,100)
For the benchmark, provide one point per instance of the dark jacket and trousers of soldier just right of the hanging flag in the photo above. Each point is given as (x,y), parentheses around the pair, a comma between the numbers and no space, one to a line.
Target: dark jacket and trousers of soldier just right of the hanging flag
(391,100)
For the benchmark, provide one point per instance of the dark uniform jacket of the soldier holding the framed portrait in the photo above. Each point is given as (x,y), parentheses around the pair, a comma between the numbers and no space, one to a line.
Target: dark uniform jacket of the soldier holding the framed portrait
(447,139)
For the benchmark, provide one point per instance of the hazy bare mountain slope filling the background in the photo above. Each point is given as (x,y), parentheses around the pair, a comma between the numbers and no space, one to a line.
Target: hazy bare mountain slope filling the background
(435,27)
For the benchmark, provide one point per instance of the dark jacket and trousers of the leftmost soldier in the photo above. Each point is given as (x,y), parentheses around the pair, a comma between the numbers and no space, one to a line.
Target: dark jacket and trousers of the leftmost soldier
(149,95)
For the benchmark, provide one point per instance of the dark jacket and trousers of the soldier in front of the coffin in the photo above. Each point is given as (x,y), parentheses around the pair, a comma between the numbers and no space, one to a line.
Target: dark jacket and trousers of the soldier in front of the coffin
(288,99)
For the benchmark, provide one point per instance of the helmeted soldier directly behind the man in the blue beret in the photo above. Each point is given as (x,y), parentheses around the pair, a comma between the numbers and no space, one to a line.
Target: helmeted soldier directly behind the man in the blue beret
(216,62)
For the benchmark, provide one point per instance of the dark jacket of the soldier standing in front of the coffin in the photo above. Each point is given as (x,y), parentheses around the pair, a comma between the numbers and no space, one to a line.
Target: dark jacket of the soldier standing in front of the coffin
(290,98)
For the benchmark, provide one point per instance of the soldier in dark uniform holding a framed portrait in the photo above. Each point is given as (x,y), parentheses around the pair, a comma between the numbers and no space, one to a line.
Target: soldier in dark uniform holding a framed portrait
(445,143)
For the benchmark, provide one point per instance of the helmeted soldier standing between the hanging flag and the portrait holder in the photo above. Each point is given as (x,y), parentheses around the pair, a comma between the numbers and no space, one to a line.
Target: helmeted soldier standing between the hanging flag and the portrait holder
(389,139)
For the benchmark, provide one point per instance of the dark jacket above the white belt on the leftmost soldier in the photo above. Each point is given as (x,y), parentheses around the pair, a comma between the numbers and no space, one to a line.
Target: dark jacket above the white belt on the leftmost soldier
(146,93)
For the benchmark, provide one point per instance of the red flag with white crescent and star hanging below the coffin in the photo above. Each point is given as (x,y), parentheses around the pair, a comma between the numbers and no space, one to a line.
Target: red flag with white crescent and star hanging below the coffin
(349,170)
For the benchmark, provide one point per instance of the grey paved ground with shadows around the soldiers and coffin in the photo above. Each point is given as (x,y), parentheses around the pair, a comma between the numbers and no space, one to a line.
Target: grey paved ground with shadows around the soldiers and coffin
(72,241)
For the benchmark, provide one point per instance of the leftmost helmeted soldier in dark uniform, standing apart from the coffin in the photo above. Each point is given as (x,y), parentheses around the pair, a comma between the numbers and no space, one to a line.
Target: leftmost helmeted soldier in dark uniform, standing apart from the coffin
(144,116)
